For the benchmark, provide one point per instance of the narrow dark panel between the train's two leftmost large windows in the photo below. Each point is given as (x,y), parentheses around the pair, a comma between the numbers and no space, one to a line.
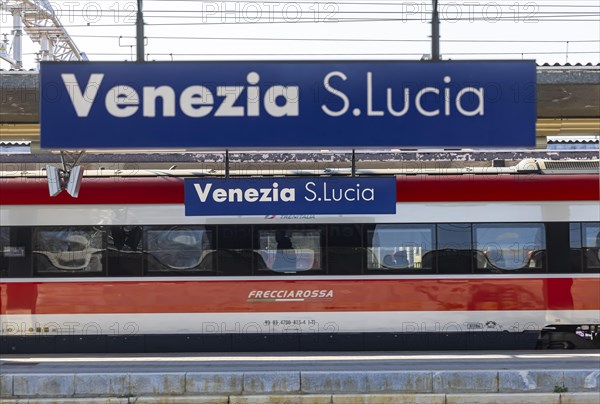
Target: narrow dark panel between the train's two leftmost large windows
(124,250)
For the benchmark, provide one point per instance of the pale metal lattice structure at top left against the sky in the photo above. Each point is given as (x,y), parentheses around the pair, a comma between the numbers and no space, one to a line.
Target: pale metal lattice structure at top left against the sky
(39,21)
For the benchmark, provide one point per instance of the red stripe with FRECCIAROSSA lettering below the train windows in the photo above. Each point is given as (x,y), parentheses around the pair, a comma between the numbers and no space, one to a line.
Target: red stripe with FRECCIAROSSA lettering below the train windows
(197,296)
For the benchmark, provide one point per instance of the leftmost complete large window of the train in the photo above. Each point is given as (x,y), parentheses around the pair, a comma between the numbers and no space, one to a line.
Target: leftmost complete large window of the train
(68,250)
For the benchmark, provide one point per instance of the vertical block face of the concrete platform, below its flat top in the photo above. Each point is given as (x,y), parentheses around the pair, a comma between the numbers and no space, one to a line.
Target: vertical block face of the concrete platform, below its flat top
(508,386)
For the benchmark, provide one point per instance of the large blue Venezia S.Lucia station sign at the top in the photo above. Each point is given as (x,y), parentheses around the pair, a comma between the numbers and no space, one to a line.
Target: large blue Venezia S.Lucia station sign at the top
(306,104)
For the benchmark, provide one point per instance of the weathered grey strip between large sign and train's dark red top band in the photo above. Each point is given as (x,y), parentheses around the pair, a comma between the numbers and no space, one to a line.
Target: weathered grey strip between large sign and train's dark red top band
(266,161)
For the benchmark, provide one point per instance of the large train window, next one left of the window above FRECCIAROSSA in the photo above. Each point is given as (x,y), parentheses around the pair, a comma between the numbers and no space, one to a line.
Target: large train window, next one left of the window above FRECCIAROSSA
(179,249)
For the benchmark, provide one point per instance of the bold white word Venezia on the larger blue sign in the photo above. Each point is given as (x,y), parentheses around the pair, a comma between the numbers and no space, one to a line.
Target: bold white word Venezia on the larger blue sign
(195,101)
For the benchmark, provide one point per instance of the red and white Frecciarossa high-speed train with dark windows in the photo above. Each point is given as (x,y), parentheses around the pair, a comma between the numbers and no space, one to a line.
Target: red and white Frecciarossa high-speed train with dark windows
(466,262)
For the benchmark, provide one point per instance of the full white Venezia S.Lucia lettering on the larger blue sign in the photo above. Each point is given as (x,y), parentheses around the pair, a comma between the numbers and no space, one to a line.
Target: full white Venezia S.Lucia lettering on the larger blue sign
(278,101)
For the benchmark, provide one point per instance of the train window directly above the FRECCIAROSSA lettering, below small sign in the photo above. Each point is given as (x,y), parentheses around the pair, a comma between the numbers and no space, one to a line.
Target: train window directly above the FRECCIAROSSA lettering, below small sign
(290,250)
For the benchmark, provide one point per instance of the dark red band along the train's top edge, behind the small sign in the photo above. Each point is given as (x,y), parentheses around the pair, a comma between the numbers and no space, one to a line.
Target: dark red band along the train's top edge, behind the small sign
(458,188)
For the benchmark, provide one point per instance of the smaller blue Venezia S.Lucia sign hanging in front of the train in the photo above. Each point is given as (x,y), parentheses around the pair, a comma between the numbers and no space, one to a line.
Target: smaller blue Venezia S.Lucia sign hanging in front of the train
(290,196)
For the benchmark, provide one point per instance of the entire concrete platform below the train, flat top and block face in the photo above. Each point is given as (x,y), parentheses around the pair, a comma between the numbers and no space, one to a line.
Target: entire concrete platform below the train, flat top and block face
(345,378)
